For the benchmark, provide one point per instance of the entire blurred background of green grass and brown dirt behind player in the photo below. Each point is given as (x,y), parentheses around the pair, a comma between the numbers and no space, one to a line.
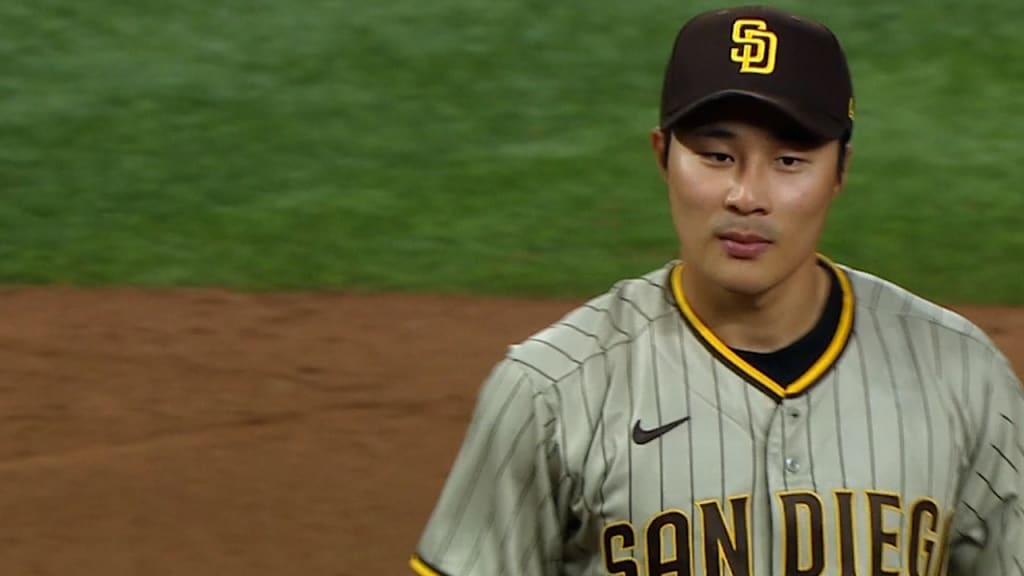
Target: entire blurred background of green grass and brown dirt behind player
(203,202)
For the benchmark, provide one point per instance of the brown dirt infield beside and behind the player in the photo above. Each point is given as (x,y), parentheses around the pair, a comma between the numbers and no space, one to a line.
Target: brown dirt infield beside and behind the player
(208,433)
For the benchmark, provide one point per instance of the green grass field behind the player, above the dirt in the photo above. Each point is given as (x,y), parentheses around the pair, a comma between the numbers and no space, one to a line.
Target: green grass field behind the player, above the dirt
(491,147)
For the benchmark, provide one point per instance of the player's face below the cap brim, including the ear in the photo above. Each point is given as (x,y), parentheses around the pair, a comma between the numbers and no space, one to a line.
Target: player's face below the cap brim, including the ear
(750,193)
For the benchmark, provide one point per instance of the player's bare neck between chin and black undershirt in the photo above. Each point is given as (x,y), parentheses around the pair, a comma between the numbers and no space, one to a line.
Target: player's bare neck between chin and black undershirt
(765,322)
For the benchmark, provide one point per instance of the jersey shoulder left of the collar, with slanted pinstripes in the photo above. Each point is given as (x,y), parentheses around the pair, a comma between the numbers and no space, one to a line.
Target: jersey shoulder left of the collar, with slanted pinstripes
(596,327)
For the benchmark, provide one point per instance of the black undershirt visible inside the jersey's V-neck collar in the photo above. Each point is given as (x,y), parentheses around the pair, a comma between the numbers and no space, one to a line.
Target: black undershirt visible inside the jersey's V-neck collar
(786,365)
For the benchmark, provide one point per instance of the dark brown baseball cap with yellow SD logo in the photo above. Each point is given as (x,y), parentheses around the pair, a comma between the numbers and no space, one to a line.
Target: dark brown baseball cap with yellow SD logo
(790,62)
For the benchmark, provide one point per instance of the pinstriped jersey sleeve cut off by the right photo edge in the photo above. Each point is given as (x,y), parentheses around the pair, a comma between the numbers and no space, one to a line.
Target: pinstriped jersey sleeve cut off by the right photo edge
(988,538)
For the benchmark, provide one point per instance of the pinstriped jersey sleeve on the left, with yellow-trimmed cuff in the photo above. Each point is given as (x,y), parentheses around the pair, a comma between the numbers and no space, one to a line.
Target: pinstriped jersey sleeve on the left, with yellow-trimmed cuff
(502,509)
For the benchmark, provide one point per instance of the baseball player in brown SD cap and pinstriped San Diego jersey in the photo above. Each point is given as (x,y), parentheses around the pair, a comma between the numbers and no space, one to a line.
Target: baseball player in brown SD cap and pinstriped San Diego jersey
(752,408)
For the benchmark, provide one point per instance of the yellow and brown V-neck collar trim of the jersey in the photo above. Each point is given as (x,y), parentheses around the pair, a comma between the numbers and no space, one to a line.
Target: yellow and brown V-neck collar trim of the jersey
(813,375)
